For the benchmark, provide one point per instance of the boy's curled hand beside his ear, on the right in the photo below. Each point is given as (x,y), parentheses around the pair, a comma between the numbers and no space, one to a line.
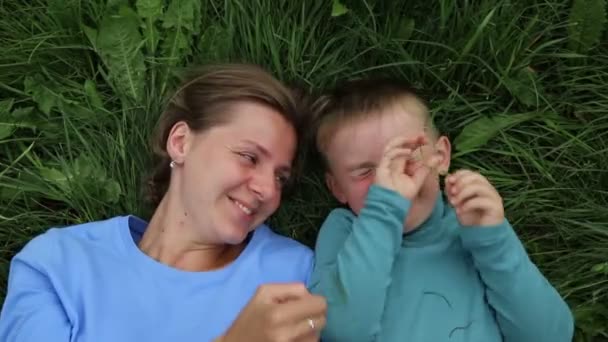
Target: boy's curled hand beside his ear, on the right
(476,201)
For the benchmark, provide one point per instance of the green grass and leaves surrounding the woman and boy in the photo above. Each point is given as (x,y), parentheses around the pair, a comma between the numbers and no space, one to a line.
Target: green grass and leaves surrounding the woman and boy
(519,86)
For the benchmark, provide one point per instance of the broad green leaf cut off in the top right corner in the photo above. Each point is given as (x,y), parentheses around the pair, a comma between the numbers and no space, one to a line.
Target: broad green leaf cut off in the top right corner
(586,24)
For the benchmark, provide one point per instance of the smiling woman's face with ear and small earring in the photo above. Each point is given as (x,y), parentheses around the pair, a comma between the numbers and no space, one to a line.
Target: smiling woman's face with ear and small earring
(230,177)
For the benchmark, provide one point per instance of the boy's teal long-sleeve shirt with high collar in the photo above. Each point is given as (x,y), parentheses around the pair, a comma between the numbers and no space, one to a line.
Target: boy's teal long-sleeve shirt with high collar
(441,282)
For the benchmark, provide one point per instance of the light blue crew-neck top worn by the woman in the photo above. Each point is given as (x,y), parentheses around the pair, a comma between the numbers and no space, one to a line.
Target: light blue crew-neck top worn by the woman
(91,282)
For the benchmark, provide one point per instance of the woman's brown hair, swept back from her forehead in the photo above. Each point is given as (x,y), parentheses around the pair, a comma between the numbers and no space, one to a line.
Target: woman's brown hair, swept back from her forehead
(202,101)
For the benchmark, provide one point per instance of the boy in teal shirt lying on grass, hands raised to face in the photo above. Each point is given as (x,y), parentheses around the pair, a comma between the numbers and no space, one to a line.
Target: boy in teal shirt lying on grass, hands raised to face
(405,264)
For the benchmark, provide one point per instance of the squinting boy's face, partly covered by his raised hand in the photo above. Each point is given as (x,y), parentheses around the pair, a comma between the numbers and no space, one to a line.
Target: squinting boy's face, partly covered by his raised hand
(356,148)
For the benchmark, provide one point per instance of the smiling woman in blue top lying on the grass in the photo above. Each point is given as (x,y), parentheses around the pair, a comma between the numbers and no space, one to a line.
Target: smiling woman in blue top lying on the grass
(205,267)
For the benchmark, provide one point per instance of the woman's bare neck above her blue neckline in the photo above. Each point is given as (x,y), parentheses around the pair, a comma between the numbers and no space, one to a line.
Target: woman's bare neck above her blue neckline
(170,239)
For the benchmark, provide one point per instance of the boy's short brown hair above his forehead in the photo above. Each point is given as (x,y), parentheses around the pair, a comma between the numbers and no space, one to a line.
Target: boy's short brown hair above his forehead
(355,100)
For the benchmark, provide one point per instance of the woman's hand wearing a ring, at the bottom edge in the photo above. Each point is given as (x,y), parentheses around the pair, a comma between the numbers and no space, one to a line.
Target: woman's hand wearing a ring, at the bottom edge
(279,313)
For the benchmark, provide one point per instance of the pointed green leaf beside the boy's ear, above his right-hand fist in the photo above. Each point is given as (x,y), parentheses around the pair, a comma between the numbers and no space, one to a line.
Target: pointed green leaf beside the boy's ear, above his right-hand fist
(479,132)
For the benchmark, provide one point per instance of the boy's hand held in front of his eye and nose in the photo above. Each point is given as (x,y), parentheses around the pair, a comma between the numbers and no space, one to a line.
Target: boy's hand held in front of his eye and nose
(392,172)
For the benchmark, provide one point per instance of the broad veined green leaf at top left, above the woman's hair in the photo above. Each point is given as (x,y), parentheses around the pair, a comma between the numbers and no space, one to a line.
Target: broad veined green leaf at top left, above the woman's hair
(119,43)
